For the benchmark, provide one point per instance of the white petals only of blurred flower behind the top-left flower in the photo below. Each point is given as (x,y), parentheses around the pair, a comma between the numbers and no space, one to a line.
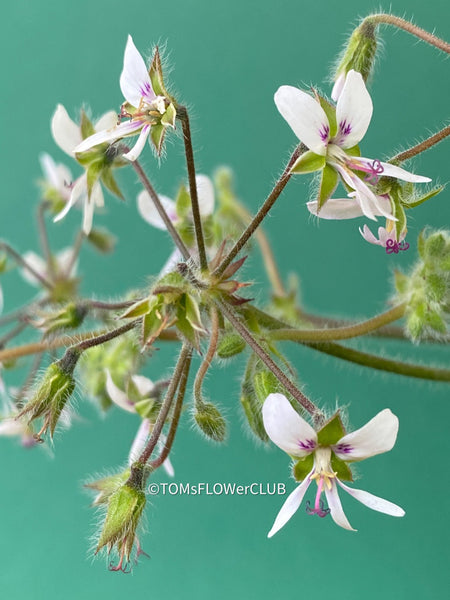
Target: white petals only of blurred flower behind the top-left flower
(68,135)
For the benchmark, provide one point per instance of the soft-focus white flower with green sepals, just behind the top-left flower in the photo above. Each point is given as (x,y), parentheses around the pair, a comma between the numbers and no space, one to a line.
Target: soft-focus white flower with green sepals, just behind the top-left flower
(98,164)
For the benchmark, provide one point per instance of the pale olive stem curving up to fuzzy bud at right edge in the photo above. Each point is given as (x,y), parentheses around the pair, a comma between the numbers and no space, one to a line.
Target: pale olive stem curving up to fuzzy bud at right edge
(341,333)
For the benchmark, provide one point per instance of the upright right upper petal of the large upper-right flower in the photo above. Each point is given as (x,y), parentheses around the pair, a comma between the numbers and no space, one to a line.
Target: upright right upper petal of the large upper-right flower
(353,111)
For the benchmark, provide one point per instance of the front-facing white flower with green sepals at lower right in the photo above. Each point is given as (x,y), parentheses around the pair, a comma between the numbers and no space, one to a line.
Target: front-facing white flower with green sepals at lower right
(323,456)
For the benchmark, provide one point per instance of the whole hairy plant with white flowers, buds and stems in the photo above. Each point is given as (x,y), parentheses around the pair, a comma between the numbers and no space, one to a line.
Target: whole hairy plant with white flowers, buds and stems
(100,348)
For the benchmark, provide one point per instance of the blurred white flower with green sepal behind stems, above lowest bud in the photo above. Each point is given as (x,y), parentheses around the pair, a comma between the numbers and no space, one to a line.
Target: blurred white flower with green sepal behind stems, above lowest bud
(142,403)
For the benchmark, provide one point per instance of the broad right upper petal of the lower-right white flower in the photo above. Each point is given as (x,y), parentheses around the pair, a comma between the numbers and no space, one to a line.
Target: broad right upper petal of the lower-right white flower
(377,436)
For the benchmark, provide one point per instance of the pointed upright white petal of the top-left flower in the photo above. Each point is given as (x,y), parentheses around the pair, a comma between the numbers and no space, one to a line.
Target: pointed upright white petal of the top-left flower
(134,80)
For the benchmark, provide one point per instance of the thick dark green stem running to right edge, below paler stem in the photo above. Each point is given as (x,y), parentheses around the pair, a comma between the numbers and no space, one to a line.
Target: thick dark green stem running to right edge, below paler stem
(382,364)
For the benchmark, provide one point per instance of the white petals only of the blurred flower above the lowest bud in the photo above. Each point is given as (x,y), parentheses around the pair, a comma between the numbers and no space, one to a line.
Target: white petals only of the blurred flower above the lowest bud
(144,387)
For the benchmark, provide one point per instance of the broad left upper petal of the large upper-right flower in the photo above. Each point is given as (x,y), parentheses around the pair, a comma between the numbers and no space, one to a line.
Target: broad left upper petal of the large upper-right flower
(305,116)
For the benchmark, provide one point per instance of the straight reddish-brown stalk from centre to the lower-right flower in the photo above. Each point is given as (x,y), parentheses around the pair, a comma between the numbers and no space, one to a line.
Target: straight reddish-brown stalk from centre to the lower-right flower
(242,330)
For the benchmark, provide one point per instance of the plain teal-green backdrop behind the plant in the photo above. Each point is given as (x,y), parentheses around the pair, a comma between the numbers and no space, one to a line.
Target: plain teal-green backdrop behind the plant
(228,59)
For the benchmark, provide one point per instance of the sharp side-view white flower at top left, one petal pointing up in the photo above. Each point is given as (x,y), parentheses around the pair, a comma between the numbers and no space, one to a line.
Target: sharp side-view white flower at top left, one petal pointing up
(148,105)
